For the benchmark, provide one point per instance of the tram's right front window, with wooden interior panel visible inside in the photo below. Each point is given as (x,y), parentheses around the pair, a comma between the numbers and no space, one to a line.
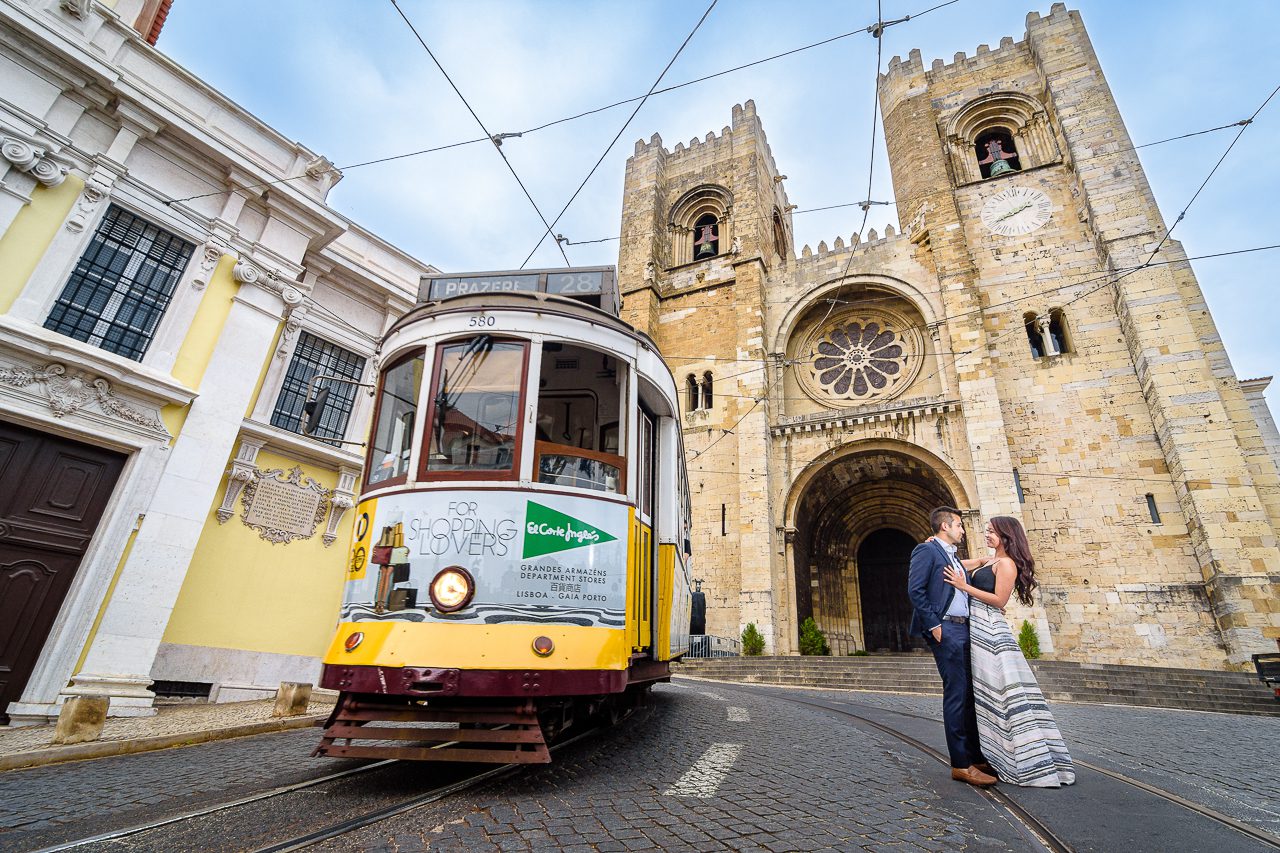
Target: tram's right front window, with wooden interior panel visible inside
(579,412)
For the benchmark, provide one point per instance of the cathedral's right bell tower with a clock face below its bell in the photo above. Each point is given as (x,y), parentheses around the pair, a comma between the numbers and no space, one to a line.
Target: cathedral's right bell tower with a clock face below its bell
(1016,170)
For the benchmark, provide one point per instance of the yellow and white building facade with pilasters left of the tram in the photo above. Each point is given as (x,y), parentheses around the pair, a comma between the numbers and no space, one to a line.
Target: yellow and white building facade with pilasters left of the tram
(99,129)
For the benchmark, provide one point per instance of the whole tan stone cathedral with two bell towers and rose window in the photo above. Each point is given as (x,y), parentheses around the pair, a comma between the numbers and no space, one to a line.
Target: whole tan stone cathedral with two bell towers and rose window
(999,353)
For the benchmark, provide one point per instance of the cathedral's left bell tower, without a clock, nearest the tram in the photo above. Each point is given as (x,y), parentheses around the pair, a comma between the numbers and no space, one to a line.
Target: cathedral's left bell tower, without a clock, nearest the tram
(703,229)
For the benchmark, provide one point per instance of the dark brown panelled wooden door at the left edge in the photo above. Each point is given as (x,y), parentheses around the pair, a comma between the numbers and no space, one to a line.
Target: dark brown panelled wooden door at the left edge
(53,492)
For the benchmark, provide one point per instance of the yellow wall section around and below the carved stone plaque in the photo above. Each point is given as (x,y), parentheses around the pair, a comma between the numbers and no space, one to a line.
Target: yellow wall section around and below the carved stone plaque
(246,594)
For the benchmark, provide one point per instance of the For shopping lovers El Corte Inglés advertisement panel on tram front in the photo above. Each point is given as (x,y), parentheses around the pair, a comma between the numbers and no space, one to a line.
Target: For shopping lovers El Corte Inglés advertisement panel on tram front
(532,558)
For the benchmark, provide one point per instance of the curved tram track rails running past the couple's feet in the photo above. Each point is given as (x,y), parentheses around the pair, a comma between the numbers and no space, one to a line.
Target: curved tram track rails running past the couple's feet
(1048,837)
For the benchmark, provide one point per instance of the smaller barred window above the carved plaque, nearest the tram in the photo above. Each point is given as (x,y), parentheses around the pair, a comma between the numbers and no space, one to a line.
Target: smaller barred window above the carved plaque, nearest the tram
(312,358)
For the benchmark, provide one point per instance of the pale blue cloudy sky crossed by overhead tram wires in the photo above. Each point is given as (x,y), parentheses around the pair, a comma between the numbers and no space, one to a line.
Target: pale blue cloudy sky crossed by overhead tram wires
(349,80)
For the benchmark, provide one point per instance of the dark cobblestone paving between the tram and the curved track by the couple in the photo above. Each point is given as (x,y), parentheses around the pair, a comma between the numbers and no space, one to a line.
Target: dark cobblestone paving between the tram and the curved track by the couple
(799,784)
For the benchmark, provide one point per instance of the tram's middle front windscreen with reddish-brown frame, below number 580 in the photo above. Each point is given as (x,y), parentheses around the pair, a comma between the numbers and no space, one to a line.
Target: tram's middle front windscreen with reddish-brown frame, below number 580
(476,408)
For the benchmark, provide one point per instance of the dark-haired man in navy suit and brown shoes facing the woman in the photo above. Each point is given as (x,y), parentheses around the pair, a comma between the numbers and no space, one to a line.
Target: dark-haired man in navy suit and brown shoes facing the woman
(941,615)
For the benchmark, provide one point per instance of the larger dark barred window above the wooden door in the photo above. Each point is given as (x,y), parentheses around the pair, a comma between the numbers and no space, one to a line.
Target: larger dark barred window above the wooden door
(122,285)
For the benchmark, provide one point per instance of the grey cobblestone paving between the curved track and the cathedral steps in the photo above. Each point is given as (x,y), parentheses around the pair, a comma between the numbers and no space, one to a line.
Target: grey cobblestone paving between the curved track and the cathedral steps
(1226,761)
